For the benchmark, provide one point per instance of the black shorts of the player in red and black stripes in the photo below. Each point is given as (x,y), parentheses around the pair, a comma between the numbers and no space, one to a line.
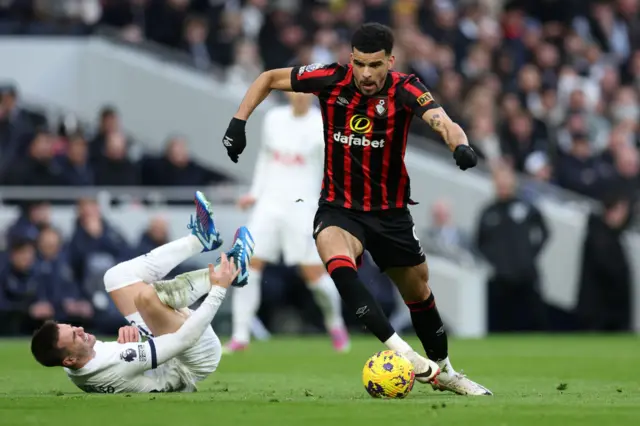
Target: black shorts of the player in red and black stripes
(388,235)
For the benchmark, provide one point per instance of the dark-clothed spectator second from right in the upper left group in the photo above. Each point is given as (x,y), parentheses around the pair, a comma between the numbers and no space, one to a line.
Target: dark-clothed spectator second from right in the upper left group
(114,168)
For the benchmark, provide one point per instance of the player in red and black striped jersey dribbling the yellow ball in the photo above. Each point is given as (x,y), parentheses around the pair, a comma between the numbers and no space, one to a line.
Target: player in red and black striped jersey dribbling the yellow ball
(367,109)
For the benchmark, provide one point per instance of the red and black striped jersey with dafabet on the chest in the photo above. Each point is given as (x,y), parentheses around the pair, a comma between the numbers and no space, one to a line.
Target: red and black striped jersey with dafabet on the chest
(365,136)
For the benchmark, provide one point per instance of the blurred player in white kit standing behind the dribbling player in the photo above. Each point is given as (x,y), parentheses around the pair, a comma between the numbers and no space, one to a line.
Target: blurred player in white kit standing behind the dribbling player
(284,194)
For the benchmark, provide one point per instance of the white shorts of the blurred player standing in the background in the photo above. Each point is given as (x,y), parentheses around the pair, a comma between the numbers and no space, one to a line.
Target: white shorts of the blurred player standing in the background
(285,230)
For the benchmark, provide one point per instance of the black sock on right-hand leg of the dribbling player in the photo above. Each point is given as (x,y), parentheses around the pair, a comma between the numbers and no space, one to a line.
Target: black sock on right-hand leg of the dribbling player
(429,328)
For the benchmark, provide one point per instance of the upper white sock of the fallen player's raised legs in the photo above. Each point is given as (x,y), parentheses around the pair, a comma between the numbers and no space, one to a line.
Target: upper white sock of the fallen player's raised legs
(152,266)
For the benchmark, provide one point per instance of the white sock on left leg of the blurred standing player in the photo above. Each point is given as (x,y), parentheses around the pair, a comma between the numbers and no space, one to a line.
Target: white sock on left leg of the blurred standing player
(244,306)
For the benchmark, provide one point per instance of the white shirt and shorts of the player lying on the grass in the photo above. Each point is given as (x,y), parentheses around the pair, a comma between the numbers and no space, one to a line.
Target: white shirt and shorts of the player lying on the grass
(169,363)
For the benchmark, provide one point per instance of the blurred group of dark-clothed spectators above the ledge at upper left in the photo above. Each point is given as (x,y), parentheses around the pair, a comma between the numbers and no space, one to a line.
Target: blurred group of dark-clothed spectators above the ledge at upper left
(34,152)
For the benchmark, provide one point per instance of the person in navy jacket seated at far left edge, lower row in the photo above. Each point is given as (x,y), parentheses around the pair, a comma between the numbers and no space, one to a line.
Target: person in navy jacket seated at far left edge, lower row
(23,296)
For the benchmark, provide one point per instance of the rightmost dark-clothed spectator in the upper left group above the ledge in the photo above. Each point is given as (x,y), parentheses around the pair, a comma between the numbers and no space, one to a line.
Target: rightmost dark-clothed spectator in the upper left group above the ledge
(176,168)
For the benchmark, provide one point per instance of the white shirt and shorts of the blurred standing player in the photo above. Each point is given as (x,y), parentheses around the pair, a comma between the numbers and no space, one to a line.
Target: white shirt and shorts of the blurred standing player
(286,185)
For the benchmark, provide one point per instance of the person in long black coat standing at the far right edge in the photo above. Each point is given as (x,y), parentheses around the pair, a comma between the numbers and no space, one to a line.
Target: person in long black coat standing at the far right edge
(604,301)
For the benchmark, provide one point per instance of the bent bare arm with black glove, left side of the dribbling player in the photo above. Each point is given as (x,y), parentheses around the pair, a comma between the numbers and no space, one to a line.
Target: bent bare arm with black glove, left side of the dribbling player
(235,139)
